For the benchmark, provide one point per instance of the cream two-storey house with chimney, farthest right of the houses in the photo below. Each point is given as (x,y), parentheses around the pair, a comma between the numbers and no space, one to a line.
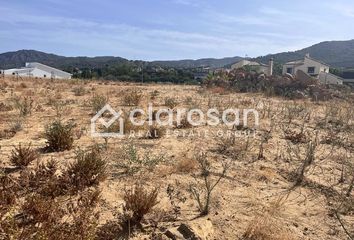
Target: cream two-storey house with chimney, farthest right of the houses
(314,68)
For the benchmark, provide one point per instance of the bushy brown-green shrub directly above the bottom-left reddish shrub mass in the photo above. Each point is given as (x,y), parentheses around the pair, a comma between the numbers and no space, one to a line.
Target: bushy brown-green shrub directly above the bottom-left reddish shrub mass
(89,169)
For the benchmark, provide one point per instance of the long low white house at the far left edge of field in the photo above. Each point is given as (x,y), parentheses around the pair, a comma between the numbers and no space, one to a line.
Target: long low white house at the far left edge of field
(34,69)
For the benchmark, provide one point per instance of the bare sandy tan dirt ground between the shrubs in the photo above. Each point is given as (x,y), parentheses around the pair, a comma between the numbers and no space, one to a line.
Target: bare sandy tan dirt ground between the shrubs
(257,195)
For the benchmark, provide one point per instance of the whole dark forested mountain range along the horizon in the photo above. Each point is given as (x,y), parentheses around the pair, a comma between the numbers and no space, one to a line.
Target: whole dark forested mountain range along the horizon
(339,54)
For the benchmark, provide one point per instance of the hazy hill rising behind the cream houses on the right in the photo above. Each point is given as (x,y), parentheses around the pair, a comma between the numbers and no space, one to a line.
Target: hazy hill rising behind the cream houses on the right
(338,54)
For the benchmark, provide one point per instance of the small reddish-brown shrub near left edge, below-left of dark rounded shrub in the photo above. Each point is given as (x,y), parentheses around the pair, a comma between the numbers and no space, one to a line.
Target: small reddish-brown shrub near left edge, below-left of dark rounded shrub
(22,156)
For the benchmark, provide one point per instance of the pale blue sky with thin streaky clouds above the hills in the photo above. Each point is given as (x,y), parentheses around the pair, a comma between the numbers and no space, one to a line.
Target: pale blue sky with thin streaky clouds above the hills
(172,29)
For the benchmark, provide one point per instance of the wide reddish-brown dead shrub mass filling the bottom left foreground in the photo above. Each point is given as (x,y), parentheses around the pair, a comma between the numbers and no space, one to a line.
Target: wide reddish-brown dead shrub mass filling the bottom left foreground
(47,218)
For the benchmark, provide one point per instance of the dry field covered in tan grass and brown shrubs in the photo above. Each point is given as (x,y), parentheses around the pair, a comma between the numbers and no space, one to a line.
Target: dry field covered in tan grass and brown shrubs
(56,196)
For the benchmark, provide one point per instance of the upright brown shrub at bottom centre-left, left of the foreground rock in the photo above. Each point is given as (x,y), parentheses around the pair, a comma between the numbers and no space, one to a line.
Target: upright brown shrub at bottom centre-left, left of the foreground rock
(139,202)
